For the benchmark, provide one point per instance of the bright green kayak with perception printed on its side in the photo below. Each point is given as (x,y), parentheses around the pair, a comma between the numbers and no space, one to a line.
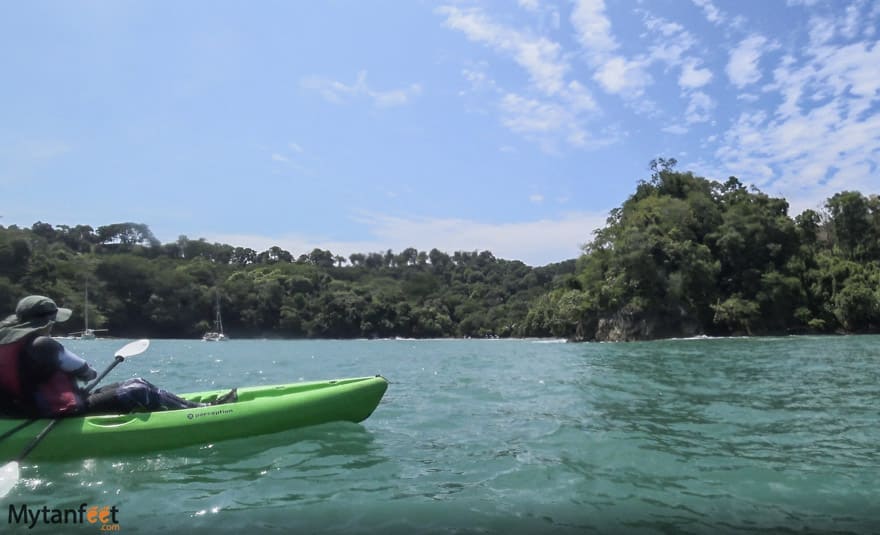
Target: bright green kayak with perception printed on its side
(259,410)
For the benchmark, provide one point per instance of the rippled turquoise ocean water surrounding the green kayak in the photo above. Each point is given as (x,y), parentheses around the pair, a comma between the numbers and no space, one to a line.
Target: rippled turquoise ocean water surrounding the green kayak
(772,435)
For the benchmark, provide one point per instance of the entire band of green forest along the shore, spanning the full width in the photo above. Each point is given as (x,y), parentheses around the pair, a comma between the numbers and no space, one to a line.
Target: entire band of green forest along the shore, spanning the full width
(682,257)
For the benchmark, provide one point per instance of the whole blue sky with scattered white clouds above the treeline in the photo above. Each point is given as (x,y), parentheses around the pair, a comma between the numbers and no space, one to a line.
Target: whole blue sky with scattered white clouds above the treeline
(362,126)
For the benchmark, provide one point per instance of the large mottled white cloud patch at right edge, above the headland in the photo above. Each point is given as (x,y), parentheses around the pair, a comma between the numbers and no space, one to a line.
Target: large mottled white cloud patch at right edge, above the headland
(809,149)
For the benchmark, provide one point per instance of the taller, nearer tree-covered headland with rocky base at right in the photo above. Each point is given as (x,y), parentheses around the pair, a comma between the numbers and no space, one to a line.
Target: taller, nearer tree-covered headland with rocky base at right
(686,256)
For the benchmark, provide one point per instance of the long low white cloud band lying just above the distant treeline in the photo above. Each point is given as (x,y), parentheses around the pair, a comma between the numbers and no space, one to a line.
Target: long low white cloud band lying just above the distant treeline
(535,243)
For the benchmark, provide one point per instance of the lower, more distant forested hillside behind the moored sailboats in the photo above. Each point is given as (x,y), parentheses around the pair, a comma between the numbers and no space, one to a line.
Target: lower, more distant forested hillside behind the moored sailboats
(140,287)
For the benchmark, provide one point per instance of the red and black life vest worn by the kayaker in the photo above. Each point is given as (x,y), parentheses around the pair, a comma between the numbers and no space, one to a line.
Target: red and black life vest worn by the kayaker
(56,396)
